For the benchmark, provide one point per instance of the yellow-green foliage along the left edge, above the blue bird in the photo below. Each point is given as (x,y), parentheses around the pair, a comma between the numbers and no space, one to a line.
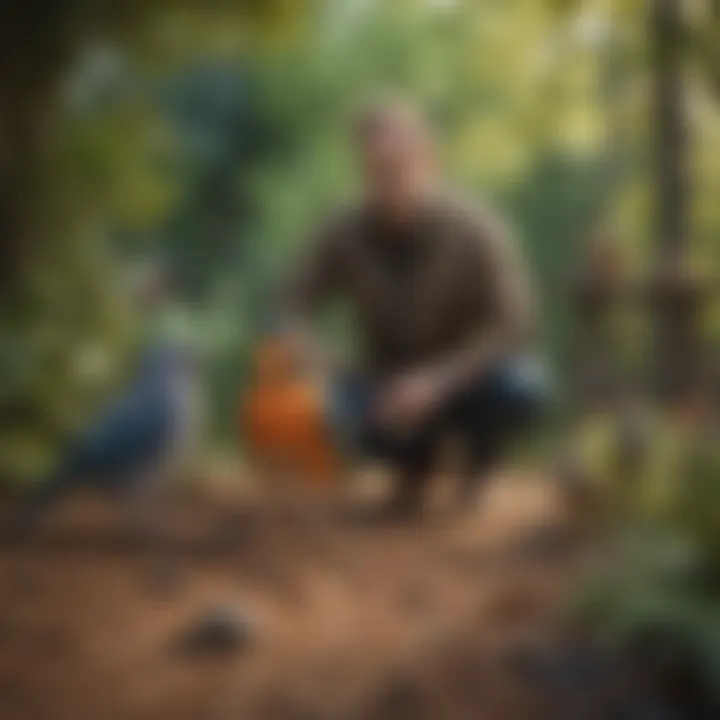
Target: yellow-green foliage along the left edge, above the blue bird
(92,173)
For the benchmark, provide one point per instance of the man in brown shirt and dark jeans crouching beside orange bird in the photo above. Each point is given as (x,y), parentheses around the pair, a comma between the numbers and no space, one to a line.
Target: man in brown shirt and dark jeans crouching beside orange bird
(443,310)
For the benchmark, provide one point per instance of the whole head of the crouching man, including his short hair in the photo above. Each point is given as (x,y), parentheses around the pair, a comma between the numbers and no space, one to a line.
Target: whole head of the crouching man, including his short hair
(397,153)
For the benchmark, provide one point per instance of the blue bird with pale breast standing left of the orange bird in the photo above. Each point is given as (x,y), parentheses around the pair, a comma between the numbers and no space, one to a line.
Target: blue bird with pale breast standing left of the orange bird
(135,447)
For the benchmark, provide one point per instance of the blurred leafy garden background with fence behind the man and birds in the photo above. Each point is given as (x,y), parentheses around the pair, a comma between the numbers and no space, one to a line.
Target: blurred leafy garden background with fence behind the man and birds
(206,140)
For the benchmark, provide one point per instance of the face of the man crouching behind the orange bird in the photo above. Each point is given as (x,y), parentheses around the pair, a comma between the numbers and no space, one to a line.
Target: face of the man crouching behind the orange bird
(395,157)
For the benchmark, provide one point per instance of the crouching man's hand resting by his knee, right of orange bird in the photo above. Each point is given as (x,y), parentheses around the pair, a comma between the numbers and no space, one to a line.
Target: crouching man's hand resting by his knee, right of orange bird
(409,399)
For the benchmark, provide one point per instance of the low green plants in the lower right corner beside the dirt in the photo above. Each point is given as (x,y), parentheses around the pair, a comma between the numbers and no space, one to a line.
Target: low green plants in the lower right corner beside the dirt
(654,589)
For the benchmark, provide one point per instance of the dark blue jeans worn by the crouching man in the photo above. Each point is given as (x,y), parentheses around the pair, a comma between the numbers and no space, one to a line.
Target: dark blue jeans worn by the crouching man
(486,415)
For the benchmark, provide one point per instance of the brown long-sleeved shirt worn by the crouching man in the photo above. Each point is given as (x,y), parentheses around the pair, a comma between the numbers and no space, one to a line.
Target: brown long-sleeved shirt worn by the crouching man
(446,282)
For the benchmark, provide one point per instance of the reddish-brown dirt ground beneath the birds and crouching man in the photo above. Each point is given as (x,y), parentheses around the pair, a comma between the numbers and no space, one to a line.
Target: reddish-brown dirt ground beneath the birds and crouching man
(347,619)
